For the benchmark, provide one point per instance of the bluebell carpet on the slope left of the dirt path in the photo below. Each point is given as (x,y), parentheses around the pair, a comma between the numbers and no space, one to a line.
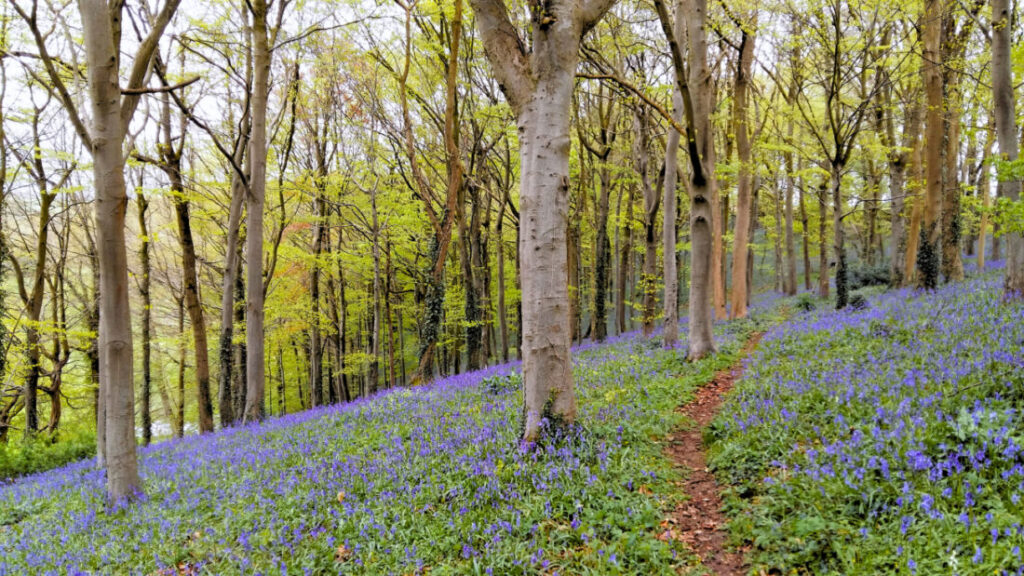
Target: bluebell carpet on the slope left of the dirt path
(409,482)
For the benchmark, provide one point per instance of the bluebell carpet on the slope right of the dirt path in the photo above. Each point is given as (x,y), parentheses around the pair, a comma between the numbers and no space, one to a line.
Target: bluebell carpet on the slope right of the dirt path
(884,441)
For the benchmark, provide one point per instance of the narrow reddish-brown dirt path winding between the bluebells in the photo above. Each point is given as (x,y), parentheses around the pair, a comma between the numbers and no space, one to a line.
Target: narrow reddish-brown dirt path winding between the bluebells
(700,521)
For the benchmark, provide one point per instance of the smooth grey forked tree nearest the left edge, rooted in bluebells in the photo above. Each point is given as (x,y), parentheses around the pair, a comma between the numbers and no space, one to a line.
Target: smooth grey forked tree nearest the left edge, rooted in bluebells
(112,109)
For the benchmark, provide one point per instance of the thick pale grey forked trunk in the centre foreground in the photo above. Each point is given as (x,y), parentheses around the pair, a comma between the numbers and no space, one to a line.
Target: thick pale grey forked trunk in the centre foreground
(539,86)
